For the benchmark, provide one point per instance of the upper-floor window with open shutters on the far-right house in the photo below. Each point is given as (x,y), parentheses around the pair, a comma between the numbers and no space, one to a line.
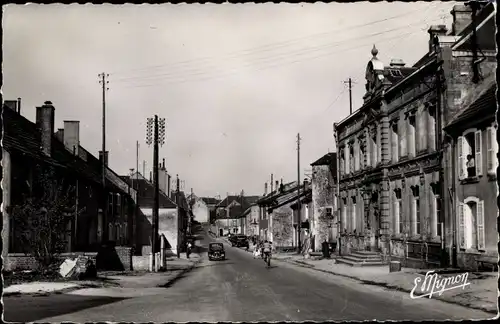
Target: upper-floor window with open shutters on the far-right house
(469,155)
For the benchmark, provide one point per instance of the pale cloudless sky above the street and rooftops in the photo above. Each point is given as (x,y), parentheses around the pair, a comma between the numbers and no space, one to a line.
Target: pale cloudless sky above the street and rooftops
(235,83)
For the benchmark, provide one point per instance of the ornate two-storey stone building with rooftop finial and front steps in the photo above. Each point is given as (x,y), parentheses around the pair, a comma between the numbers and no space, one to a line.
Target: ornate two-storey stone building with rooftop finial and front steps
(393,195)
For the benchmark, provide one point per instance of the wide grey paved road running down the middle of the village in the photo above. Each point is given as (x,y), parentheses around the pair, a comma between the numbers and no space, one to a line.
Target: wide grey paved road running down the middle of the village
(243,289)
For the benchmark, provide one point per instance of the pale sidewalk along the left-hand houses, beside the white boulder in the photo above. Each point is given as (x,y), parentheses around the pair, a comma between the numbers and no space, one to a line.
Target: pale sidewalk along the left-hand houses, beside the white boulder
(113,283)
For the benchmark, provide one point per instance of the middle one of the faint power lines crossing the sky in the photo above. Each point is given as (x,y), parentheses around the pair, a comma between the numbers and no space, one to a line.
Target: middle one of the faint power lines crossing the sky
(264,59)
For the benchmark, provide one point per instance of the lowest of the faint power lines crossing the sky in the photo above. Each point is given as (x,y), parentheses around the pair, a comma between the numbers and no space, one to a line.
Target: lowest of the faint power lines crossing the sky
(233,72)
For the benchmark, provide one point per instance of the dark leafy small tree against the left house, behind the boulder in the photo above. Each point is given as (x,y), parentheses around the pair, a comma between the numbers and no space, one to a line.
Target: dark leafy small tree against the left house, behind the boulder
(40,222)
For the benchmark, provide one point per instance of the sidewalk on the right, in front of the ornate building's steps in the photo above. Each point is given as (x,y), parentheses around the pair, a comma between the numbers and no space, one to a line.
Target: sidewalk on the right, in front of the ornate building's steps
(481,294)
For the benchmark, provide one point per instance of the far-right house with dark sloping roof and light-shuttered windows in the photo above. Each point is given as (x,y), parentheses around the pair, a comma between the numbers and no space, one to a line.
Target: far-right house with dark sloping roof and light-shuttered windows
(474,147)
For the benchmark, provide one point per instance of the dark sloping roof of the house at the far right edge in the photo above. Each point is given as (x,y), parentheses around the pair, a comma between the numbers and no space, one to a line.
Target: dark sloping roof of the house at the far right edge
(484,104)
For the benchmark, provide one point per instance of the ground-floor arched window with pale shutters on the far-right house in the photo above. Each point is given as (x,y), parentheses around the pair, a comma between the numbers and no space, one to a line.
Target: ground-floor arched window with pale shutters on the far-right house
(471,224)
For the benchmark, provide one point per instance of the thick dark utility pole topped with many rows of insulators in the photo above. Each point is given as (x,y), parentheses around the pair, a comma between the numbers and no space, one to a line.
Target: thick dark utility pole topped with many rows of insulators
(155,134)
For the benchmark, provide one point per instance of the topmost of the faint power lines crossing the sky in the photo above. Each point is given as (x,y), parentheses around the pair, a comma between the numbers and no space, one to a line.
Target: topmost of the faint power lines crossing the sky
(271,45)
